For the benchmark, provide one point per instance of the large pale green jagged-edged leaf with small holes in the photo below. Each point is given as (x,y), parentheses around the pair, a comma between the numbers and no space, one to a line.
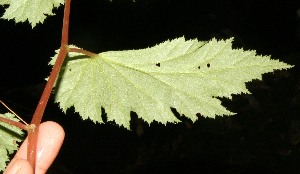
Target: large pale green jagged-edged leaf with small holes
(186,75)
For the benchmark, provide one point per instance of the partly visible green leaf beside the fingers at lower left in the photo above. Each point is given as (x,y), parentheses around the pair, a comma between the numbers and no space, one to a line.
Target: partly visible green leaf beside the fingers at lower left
(9,136)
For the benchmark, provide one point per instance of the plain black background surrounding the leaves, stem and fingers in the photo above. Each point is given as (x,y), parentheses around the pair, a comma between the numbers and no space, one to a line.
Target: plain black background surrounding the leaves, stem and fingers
(263,137)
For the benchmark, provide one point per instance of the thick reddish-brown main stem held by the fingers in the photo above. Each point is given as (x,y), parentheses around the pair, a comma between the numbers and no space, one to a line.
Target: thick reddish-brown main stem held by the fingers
(38,114)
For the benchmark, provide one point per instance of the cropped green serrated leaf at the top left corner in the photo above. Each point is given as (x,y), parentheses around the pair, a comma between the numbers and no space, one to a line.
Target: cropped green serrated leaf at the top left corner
(35,11)
